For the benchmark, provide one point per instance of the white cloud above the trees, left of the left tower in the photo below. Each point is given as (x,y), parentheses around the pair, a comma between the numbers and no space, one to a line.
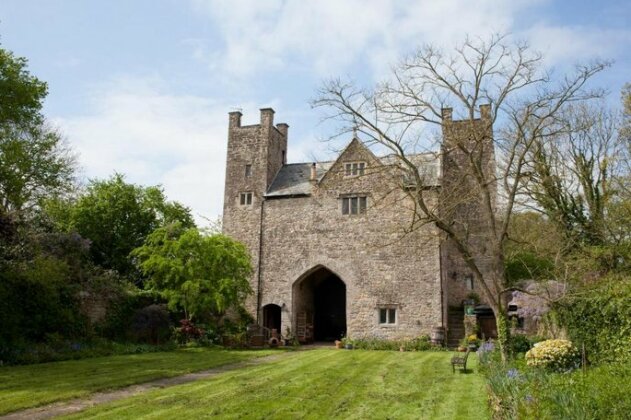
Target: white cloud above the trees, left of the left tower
(153,137)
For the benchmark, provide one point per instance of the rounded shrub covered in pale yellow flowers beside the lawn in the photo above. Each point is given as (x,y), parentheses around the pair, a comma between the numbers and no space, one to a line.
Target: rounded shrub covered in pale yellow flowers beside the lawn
(557,355)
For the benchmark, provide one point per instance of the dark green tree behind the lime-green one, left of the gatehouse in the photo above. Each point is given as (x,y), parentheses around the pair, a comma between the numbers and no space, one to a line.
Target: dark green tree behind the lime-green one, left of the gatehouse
(116,217)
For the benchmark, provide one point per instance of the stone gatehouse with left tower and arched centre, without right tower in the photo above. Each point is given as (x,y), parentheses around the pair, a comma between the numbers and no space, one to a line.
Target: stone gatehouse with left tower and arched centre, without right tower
(328,240)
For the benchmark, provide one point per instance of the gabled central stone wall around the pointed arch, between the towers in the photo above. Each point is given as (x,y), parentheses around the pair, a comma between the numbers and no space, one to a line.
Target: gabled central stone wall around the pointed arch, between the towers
(379,265)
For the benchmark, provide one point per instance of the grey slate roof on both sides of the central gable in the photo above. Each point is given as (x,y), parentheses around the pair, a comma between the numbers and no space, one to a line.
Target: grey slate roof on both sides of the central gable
(293,178)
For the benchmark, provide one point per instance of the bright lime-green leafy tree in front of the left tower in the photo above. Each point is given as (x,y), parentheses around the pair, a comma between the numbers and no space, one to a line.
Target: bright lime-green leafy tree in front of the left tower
(204,275)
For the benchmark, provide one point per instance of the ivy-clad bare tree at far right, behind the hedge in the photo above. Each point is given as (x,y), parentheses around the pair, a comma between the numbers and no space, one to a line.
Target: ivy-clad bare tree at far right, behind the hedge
(575,173)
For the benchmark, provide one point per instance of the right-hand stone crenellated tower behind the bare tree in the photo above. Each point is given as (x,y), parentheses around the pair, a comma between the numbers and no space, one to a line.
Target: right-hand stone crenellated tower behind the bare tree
(467,151)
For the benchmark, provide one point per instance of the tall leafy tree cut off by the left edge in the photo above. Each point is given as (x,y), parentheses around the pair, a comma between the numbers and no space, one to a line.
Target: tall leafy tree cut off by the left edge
(34,161)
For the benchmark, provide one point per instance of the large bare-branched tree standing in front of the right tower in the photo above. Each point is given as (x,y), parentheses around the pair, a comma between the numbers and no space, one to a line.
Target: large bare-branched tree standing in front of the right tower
(491,146)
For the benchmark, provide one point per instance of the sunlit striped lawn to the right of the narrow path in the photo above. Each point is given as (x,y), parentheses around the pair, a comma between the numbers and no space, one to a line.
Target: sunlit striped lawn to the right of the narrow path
(320,384)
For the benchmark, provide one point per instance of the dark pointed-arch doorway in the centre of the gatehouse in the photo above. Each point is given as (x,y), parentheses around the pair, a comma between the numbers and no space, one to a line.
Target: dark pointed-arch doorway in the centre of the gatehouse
(319,306)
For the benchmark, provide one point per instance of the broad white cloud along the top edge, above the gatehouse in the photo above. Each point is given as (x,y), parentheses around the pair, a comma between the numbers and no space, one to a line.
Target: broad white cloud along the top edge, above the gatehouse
(328,36)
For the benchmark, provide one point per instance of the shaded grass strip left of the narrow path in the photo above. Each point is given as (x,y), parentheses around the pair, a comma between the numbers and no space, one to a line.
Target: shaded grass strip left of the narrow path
(33,385)
